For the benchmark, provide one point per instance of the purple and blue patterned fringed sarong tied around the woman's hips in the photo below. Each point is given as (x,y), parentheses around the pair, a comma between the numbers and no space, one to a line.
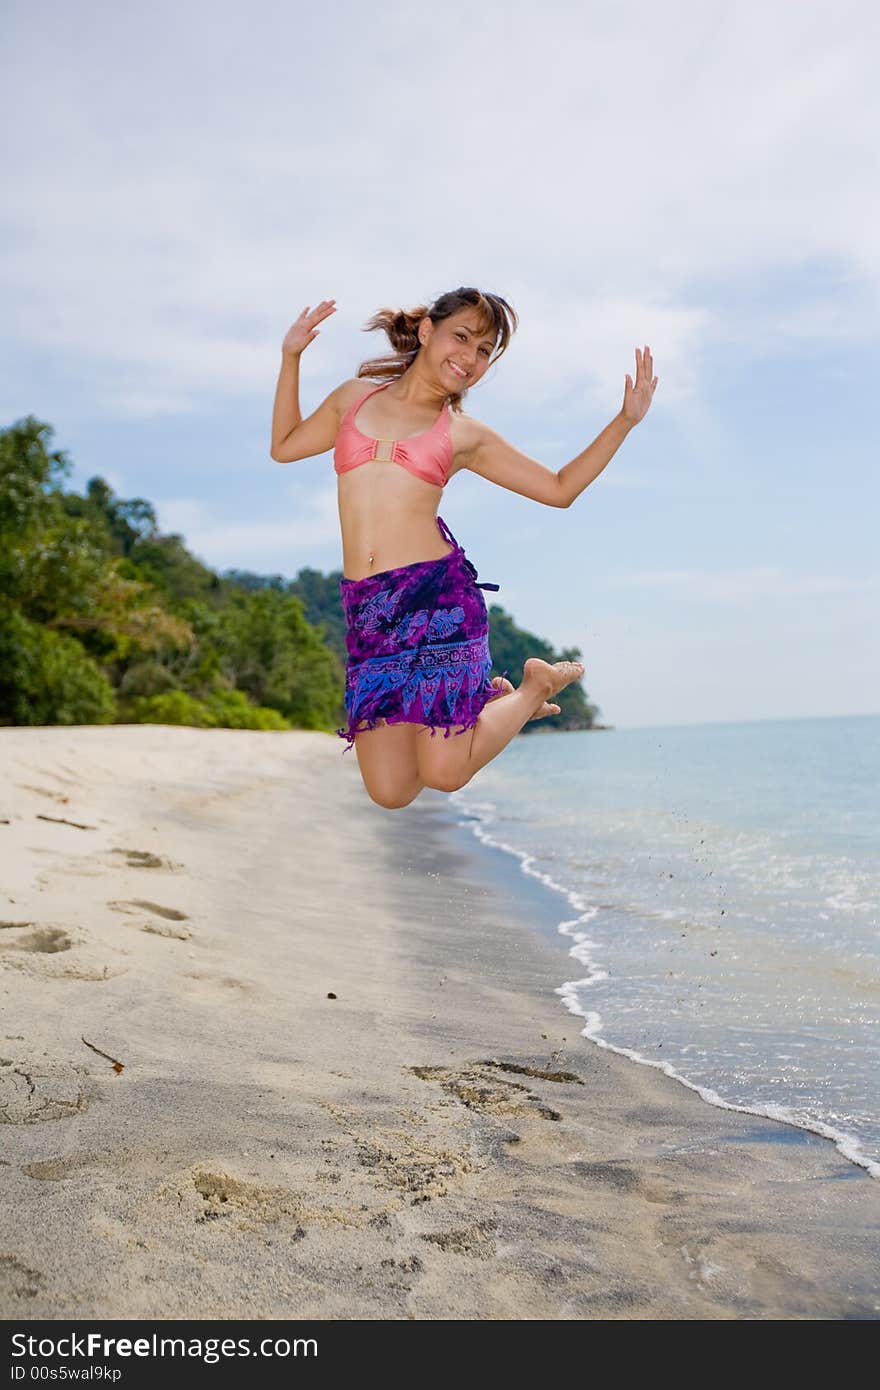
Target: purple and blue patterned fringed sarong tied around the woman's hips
(418,643)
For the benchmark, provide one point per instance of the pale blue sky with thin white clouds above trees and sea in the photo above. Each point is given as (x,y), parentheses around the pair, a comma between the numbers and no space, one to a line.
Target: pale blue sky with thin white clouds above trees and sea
(184,179)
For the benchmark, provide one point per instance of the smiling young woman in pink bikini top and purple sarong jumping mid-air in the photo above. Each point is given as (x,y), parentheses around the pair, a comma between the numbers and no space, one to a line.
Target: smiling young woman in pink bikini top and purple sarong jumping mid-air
(416,619)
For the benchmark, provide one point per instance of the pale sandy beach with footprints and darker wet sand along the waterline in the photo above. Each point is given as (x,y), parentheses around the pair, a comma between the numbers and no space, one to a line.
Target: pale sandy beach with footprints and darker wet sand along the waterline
(337,1079)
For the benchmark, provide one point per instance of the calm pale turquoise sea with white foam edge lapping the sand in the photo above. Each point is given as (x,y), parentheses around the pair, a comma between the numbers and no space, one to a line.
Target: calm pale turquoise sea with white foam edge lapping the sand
(718,890)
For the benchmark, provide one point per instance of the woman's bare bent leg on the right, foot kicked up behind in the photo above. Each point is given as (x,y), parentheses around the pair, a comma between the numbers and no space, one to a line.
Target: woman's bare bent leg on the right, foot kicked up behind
(448,764)
